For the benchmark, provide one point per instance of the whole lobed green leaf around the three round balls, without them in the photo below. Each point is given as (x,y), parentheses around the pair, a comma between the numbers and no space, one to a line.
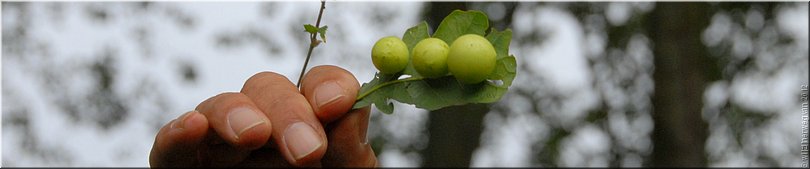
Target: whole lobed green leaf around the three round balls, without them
(432,94)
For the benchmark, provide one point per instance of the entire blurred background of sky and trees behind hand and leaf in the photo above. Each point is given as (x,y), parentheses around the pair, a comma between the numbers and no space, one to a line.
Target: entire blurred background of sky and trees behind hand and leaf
(621,84)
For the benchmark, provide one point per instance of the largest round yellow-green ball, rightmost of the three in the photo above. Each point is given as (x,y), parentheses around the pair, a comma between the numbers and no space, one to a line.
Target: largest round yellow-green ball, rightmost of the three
(471,58)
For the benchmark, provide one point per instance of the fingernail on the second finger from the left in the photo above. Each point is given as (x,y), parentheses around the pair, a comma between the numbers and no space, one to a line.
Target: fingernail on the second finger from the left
(243,119)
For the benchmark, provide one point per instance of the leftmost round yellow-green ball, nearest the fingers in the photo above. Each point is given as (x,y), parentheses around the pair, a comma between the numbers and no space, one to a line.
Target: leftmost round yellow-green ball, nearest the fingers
(389,55)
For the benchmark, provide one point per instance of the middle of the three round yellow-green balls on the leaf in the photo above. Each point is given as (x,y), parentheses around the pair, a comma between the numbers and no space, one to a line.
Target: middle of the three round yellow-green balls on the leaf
(430,57)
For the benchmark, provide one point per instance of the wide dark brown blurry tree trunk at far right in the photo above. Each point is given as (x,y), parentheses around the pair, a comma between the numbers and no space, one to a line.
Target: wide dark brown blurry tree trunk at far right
(682,71)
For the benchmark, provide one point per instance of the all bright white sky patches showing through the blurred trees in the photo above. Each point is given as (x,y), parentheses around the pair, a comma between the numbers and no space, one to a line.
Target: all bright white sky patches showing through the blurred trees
(74,40)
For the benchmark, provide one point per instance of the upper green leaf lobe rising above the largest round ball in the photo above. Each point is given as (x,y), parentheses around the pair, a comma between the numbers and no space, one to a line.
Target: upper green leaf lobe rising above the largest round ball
(461,23)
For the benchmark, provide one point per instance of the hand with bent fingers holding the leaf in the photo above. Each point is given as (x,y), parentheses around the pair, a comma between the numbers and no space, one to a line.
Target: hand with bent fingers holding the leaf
(270,123)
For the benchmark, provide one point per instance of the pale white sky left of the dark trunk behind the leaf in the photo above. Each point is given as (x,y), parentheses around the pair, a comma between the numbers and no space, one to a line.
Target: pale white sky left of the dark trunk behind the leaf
(75,39)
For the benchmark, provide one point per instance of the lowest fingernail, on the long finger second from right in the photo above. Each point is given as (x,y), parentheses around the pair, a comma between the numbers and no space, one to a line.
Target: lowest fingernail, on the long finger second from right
(301,140)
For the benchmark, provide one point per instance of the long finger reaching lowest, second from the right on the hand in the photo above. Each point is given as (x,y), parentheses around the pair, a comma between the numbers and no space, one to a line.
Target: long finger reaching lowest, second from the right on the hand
(296,130)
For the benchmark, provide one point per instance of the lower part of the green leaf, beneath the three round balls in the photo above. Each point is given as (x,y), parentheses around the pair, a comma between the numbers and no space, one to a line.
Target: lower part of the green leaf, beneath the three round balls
(433,94)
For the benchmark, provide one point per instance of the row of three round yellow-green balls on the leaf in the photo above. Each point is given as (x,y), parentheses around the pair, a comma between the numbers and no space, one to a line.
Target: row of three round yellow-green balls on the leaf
(471,58)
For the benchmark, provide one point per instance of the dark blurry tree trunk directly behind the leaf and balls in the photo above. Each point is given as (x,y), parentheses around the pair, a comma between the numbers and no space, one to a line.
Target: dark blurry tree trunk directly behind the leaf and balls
(453,132)
